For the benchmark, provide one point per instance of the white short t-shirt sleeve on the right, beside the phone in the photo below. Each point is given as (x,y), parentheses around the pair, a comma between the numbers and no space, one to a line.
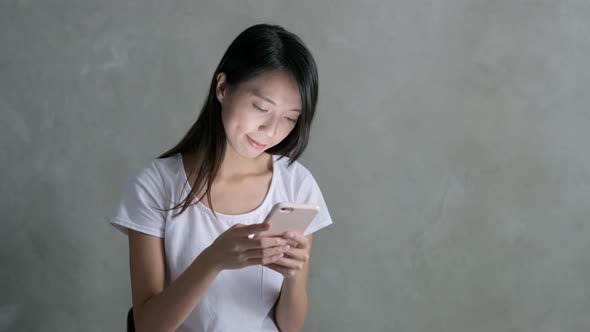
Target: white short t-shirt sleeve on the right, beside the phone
(309,192)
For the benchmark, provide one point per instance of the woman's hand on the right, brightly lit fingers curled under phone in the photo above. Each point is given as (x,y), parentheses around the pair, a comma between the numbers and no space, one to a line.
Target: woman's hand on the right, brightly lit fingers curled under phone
(294,258)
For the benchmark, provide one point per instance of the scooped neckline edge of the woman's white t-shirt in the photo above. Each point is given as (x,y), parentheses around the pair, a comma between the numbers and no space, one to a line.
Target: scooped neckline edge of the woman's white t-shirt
(229,218)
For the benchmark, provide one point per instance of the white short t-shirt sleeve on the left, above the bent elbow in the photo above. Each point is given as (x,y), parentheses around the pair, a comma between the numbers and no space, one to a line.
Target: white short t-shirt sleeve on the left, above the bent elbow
(141,207)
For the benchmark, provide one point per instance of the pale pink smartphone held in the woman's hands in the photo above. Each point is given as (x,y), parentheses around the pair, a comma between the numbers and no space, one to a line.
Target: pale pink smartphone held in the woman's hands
(285,216)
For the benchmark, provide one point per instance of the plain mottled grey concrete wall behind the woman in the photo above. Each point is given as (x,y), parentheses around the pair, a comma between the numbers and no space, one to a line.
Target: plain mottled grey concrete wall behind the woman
(451,145)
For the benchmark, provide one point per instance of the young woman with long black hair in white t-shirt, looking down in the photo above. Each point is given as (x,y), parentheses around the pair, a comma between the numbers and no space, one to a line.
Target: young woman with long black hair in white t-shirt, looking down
(190,213)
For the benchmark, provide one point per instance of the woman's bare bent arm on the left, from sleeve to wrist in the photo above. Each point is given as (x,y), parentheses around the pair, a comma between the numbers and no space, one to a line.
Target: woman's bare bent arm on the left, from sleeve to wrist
(156,308)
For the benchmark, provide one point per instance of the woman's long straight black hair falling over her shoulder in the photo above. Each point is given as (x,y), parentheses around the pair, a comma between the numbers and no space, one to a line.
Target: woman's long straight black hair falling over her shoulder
(256,50)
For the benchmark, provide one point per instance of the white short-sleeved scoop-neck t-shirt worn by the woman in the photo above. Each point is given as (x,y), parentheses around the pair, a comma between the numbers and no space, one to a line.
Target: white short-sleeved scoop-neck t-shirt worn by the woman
(237,300)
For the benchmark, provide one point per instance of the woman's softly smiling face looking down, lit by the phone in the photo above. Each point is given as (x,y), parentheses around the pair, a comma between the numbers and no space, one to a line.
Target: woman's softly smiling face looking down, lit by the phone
(260,113)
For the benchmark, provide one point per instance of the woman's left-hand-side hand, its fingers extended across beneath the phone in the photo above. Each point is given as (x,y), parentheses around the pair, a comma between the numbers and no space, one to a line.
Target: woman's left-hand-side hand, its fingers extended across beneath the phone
(235,249)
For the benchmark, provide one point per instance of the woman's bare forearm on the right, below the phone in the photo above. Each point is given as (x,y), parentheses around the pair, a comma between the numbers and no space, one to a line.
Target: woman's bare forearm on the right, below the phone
(291,309)
